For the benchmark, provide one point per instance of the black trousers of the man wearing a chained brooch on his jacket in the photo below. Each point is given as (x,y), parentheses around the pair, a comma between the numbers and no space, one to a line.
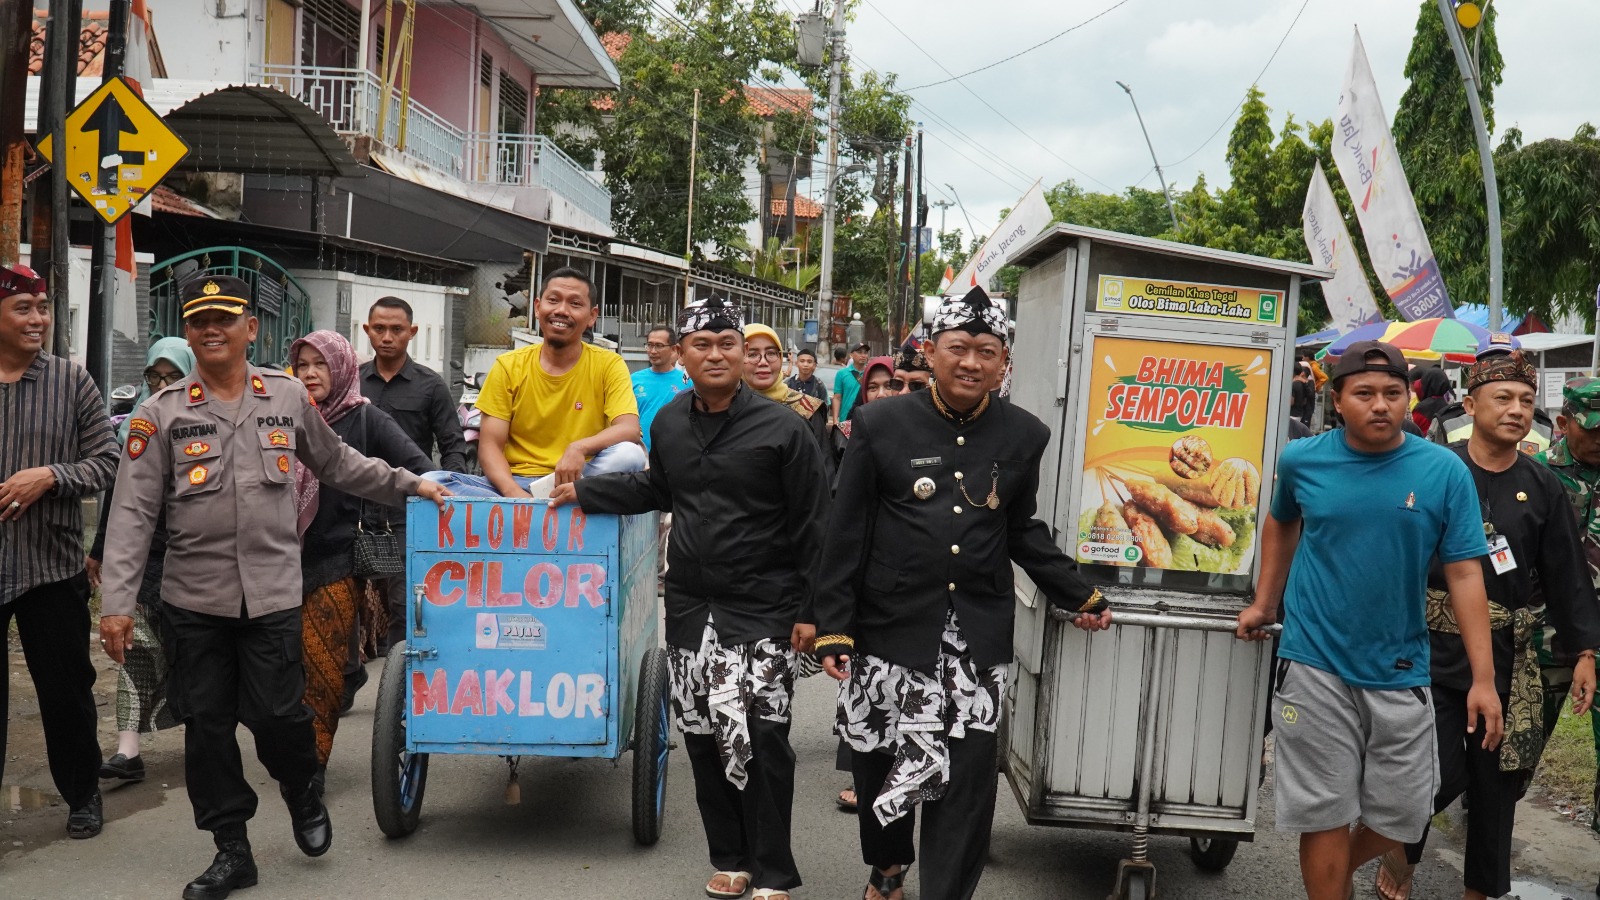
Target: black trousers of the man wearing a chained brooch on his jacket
(954,829)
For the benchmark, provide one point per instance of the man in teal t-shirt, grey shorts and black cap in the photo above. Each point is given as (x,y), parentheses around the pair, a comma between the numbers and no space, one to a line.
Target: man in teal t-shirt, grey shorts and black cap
(1361,512)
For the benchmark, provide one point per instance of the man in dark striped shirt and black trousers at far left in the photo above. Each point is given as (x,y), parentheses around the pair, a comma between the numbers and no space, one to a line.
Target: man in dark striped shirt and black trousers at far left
(57,449)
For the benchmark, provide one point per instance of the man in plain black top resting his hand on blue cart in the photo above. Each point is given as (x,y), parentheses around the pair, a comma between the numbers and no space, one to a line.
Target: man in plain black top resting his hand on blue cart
(745,483)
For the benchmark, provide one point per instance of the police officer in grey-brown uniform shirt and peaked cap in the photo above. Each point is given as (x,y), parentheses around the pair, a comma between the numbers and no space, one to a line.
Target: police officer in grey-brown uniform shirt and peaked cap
(220,451)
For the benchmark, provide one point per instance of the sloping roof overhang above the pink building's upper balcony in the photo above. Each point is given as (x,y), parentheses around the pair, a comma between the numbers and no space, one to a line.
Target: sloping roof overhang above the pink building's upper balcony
(554,39)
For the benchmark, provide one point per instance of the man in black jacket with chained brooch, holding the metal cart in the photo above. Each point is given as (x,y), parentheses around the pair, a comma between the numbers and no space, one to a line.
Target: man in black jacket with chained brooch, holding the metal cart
(937,499)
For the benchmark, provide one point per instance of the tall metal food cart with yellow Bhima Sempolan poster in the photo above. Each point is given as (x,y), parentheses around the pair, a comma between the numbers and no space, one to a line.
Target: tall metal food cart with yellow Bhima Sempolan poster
(1164,372)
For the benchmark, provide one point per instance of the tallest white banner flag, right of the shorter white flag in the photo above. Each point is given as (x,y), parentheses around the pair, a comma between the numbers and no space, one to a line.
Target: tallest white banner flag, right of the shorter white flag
(1396,243)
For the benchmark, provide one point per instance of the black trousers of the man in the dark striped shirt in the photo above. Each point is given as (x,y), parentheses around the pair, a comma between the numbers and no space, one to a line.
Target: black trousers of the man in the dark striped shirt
(54,625)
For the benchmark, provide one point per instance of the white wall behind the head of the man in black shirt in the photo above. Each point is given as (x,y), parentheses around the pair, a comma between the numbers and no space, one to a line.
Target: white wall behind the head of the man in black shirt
(430,311)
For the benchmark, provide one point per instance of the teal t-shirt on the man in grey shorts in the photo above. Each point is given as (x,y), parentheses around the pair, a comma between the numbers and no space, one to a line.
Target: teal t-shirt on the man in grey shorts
(1372,523)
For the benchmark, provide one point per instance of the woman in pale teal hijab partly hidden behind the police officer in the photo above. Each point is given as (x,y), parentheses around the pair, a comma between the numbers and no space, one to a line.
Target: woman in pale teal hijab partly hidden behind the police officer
(142,680)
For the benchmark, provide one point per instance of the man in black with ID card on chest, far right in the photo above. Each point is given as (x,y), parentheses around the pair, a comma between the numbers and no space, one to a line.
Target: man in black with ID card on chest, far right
(1530,534)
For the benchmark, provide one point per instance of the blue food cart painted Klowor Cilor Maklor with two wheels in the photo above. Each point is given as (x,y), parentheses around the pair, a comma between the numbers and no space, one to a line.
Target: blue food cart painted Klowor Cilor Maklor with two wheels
(532,632)
